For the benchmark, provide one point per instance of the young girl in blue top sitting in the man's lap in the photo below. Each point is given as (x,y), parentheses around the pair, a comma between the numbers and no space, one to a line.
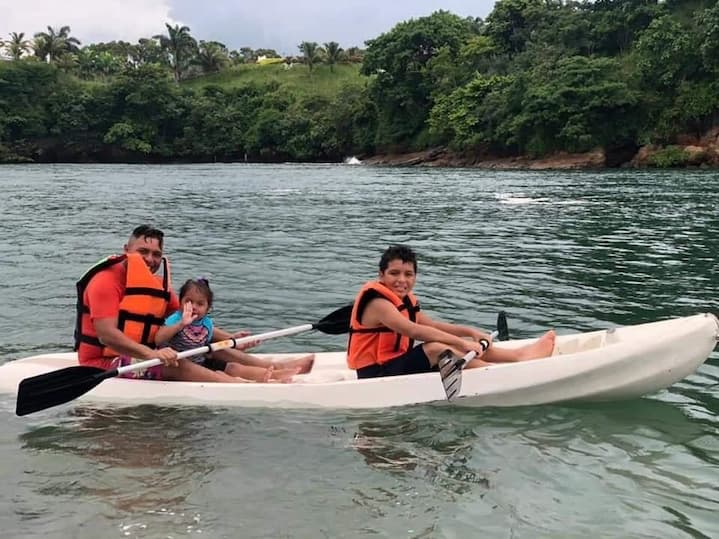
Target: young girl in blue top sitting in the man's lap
(192,327)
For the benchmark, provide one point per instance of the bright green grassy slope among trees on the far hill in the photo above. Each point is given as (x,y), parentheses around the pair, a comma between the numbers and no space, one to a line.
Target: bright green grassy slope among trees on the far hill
(322,81)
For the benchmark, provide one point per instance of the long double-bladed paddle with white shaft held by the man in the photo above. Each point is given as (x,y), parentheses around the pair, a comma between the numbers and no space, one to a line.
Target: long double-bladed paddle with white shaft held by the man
(58,387)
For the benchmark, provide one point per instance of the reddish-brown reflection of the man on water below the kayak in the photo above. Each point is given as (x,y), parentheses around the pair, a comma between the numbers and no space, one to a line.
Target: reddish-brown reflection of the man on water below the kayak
(142,462)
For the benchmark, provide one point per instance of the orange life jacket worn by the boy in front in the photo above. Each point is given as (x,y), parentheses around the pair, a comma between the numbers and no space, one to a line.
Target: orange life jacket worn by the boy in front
(377,345)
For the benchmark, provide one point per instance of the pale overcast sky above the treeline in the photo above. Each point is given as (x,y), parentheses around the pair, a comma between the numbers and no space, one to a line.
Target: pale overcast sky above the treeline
(276,24)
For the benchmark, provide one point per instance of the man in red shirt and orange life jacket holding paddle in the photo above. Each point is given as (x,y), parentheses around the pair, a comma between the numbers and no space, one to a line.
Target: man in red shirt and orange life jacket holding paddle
(121,304)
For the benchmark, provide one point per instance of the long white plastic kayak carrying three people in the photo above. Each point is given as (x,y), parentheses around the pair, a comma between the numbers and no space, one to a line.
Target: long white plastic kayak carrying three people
(619,363)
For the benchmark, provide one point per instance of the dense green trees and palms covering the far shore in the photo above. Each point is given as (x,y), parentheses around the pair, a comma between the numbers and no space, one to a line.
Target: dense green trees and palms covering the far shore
(536,77)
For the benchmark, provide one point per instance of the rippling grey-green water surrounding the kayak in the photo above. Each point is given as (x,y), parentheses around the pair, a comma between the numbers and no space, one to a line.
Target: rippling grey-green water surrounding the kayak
(285,245)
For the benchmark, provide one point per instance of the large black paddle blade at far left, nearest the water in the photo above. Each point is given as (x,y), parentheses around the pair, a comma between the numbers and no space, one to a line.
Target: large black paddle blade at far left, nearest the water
(57,387)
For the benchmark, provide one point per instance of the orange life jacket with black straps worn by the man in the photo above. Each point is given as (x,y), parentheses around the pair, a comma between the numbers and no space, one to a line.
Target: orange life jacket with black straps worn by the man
(142,308)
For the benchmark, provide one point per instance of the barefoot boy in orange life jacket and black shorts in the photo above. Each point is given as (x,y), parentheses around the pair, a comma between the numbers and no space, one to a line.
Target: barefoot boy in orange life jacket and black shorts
(386,320)
